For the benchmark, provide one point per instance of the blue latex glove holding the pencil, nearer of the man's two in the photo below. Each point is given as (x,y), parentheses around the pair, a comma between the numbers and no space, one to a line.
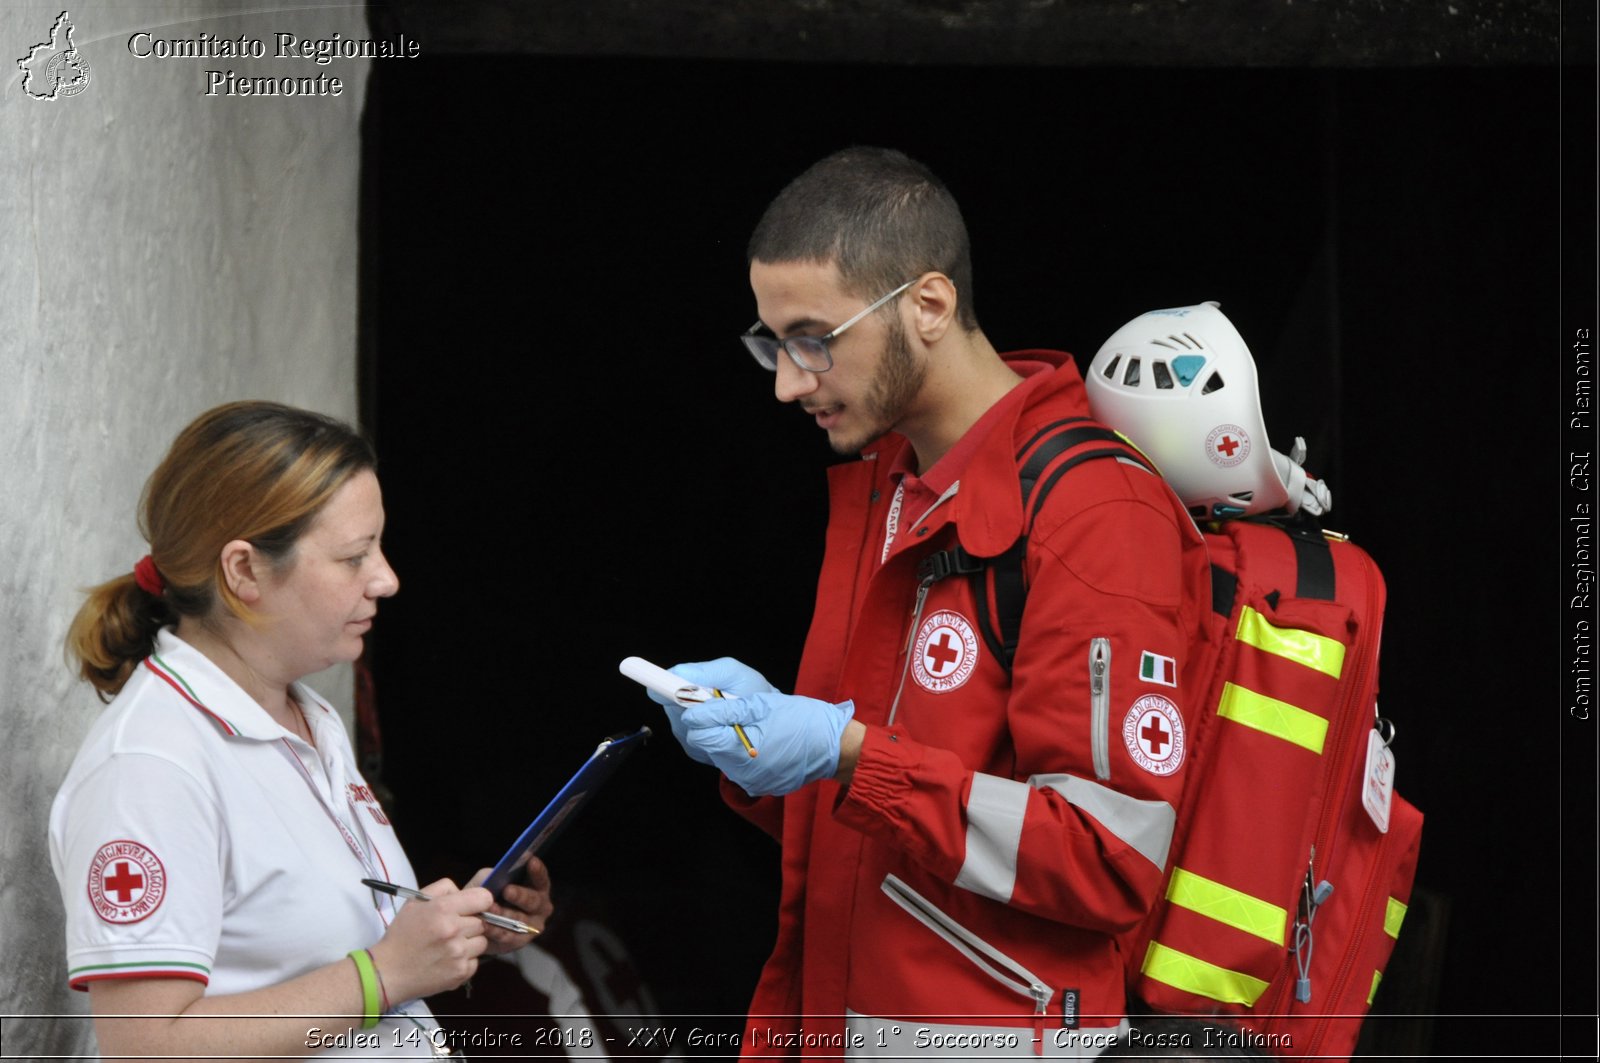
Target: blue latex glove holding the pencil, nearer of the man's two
(796,740)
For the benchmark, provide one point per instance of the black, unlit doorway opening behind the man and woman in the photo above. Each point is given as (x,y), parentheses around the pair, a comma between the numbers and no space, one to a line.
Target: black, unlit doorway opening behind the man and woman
(580,463)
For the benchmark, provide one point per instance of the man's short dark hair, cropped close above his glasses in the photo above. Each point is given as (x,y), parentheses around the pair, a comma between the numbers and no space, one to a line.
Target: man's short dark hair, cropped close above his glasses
(881,217)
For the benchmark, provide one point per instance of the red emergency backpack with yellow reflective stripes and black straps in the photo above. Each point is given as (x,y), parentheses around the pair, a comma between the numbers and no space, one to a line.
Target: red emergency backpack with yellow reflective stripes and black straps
(1284,897)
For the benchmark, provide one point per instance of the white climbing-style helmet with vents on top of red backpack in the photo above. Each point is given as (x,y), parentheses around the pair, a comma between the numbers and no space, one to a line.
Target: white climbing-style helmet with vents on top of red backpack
(1182,385)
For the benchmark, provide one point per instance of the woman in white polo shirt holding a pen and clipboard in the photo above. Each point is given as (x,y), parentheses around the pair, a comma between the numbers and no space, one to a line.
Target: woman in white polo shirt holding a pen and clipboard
(214,833)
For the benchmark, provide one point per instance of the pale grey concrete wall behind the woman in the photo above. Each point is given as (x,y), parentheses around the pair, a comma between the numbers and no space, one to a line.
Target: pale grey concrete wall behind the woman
(161,252)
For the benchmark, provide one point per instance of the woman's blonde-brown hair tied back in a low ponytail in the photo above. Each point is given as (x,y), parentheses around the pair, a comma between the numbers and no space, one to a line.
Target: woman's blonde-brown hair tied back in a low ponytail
(255,471)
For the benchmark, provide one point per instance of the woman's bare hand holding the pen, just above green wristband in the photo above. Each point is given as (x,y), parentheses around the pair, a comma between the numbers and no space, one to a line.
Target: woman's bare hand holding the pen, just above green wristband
(433,945)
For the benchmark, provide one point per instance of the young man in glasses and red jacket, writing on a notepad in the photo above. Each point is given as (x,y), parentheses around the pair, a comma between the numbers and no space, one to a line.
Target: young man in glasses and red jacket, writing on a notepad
(962,841)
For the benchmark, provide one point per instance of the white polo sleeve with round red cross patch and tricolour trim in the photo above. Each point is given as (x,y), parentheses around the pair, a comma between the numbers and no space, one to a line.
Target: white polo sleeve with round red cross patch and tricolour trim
(138,854)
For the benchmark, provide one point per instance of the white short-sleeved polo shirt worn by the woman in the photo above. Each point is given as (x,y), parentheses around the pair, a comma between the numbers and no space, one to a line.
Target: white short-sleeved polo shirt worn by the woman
(196,838)
